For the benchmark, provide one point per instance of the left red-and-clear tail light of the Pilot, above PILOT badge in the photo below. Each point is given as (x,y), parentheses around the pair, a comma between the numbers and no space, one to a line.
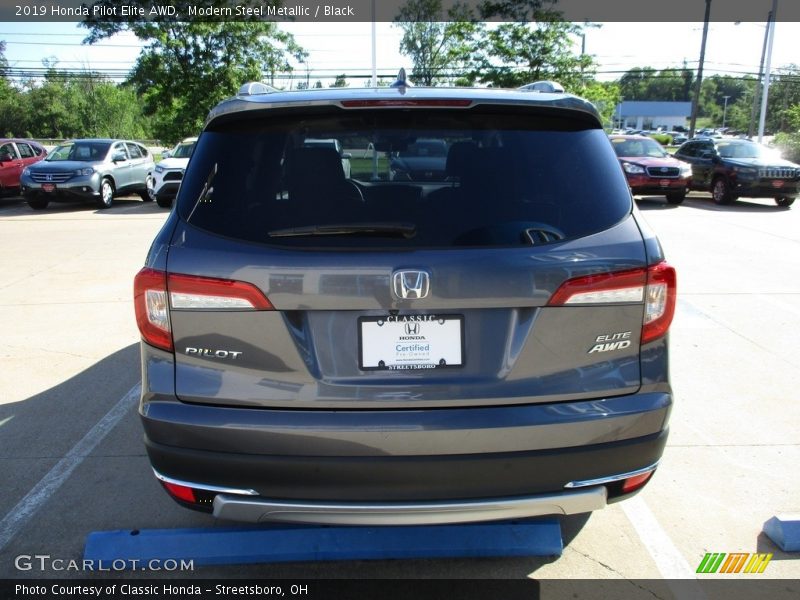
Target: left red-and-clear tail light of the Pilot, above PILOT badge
(155,293)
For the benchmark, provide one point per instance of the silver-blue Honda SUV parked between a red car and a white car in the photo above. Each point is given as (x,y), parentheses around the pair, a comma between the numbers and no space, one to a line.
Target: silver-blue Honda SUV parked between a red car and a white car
(93,170)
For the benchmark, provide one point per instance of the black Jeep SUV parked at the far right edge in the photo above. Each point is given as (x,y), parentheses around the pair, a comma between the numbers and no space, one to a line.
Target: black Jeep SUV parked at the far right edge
(733,168)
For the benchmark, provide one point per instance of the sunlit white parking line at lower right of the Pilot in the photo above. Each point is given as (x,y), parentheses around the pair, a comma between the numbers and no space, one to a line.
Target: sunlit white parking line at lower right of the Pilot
(668,559)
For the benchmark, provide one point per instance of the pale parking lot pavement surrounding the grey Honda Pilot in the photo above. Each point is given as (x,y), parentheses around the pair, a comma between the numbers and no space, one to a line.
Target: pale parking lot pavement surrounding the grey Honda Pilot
(73,462)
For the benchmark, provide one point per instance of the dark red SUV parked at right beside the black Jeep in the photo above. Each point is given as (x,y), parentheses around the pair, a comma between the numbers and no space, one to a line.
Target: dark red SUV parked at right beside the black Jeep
(650,169)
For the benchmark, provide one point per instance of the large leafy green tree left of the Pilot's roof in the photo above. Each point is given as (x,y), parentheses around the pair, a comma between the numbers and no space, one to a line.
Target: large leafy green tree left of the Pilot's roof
(188,67)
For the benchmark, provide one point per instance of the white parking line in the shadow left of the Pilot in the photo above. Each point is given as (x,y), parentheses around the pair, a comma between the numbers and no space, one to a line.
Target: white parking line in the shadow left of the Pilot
(26,508)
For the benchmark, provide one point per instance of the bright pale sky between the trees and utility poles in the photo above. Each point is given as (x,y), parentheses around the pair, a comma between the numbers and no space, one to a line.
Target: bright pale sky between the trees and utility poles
(346,47)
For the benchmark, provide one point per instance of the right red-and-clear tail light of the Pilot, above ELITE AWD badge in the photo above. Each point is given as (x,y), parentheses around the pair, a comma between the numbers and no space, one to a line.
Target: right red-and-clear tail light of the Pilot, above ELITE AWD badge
(655,286)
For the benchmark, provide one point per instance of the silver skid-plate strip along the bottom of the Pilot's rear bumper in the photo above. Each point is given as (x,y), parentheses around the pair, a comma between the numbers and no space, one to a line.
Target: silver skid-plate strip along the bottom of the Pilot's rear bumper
(421,513)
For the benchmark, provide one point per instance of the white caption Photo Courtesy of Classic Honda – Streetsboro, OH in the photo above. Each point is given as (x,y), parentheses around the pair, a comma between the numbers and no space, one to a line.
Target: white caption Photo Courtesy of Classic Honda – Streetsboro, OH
(167,589)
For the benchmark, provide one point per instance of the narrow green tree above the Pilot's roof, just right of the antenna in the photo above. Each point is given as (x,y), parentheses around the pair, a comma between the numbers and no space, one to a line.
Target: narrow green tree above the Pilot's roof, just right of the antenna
(439,45)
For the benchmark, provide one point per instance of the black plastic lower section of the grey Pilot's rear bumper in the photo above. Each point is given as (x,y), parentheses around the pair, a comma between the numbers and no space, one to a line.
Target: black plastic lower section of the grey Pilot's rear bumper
(409,478)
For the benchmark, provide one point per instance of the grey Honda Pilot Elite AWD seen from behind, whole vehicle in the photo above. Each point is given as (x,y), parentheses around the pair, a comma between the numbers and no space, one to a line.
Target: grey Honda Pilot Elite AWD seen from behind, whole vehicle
(361,350)
